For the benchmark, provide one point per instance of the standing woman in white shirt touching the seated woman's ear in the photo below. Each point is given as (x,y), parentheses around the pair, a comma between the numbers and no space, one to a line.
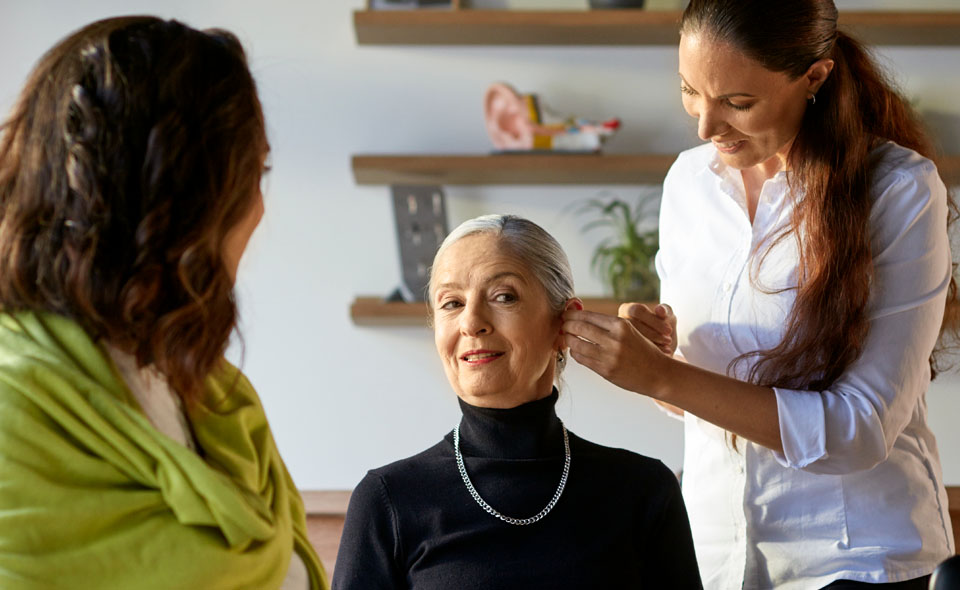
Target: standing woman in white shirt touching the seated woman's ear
(804,251)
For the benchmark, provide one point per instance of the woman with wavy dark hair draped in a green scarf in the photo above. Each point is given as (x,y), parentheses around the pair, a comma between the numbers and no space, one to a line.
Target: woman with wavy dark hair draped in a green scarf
(132,454)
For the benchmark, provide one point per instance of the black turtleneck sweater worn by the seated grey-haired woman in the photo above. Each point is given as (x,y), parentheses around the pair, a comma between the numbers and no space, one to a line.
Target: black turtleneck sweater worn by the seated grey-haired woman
(620,523)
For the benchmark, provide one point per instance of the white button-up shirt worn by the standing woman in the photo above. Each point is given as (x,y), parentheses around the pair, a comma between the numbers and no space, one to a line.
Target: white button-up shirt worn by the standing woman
(857,493)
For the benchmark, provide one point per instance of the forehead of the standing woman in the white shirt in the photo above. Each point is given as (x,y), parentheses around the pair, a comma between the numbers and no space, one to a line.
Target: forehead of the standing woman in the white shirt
(715,67)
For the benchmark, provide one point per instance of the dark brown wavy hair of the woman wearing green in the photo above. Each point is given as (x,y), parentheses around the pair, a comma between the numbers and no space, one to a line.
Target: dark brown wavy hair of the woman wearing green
(135,146)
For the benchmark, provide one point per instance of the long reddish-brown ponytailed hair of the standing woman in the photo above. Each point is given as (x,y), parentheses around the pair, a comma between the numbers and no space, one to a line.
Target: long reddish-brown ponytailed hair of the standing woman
(856,109)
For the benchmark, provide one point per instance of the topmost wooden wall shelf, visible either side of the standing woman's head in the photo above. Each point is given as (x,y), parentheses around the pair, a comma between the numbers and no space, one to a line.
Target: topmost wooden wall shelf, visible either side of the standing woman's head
(611,27)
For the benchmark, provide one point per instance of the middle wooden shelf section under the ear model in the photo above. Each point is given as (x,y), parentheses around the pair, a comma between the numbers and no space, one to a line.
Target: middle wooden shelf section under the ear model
(512,169)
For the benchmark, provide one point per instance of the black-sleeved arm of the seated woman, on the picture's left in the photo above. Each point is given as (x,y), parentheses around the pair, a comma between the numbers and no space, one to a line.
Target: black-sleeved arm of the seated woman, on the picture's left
(370,545)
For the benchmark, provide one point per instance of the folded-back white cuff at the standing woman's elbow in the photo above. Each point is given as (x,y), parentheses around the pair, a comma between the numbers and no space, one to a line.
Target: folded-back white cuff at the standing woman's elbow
(803,429)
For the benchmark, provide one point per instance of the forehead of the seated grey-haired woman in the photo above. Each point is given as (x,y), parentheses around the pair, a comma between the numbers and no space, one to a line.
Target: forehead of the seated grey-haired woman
(477,258)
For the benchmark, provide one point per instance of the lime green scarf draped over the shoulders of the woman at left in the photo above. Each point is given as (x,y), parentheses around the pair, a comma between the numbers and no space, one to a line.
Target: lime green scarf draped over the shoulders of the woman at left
(93,496)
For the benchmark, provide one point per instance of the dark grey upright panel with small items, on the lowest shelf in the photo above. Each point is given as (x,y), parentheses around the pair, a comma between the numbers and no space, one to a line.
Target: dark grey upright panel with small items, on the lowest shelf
(421,218)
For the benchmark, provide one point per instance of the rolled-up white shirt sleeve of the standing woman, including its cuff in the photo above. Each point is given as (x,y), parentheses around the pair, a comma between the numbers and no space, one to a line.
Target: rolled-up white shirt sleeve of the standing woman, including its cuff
(853,425)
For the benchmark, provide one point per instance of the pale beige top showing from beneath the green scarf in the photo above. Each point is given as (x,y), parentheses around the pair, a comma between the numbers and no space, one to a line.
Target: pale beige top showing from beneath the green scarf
(164,409)
